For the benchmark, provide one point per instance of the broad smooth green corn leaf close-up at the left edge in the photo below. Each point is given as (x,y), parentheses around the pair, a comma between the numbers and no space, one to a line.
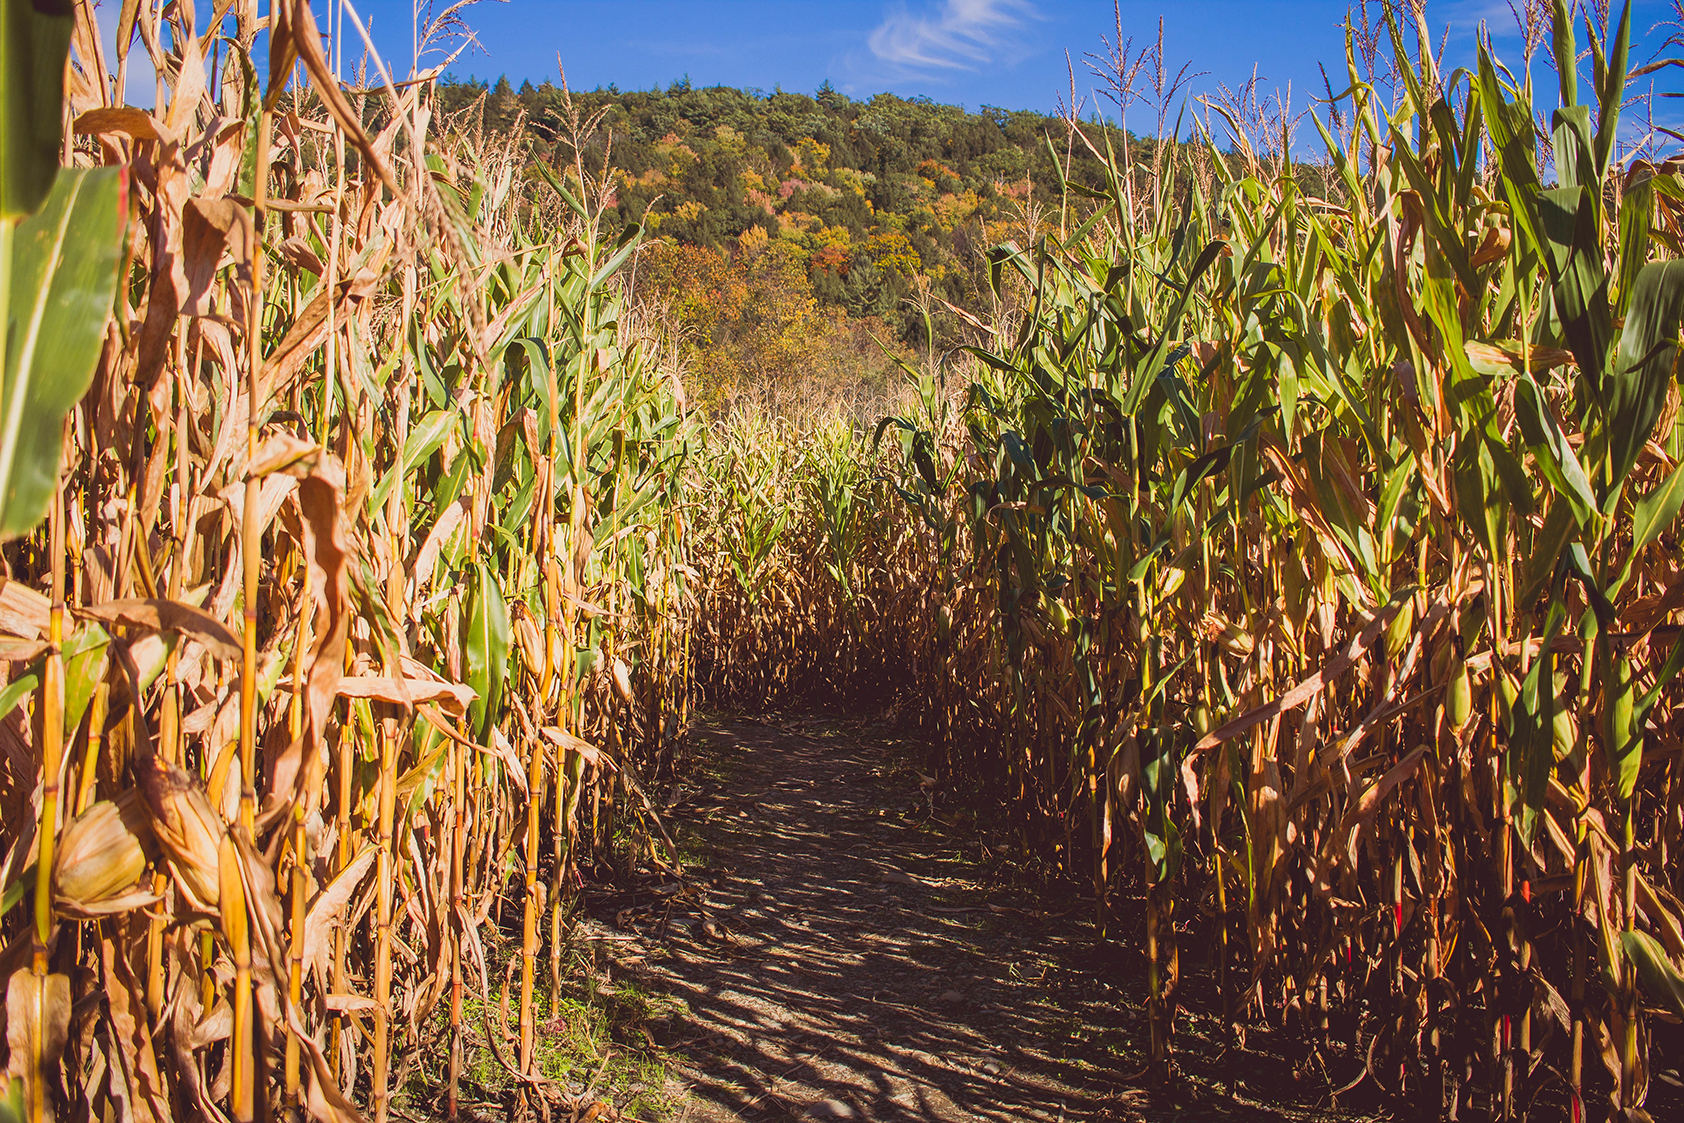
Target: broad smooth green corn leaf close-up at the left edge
(63,263)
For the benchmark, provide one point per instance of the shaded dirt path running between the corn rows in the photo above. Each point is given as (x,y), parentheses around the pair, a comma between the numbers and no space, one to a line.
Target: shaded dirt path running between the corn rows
(836,955)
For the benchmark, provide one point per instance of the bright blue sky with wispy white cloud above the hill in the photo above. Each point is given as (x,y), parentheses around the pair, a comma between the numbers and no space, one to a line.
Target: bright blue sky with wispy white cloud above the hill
(974,53)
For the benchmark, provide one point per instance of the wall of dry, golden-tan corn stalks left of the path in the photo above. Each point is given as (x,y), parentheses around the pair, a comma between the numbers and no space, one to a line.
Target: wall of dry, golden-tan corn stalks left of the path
(360,602)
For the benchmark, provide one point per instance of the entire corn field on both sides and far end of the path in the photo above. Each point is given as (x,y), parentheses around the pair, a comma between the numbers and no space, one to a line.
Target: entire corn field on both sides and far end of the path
(1289,560)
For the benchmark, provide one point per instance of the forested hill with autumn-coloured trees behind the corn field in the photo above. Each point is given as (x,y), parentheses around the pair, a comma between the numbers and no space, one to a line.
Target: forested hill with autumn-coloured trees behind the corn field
(856,200)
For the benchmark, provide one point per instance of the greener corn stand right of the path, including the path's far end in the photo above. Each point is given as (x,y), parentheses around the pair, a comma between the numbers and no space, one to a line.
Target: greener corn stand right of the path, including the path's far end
(1298,572)
